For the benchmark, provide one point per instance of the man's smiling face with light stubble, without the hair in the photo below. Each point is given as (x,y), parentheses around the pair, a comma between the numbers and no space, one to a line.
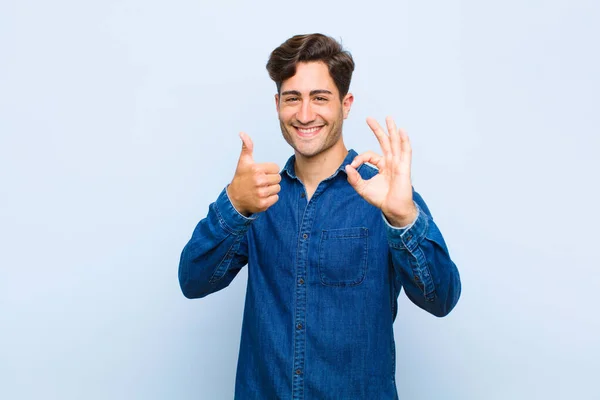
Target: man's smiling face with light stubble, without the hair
(310,110)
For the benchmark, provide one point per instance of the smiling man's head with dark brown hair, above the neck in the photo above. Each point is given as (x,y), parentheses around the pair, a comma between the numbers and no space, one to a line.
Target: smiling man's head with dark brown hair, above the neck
(312,74)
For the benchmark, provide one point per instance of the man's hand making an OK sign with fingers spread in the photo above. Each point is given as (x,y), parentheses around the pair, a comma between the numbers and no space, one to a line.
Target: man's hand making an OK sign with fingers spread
(391,189)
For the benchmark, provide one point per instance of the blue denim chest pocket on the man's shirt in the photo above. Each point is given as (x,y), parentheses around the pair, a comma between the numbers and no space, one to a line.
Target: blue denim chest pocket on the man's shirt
(343,256)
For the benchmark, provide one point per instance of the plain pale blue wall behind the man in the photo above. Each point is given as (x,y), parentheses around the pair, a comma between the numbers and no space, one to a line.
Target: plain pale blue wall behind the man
(119,125)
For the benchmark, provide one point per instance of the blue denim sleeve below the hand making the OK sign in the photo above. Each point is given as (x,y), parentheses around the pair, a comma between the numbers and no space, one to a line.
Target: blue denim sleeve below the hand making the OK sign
(422,263)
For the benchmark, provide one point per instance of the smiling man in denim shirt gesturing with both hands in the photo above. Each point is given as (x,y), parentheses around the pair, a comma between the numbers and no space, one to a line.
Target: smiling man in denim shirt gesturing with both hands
(329,242)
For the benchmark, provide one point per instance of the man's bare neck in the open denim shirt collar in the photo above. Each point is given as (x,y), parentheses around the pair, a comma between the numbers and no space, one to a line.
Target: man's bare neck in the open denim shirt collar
(312,170)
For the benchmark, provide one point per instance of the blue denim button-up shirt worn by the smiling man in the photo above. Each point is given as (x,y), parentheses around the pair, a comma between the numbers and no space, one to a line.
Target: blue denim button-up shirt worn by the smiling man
(323,280)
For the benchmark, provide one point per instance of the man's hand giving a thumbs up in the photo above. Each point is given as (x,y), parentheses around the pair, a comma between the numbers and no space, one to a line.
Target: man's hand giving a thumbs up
(254,186)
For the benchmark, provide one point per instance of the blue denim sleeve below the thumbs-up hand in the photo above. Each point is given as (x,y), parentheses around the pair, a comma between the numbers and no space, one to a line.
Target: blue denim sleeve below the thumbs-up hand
(217,250)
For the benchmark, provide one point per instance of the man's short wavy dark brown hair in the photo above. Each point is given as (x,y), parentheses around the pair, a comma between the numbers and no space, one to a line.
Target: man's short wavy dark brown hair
(314,47)
